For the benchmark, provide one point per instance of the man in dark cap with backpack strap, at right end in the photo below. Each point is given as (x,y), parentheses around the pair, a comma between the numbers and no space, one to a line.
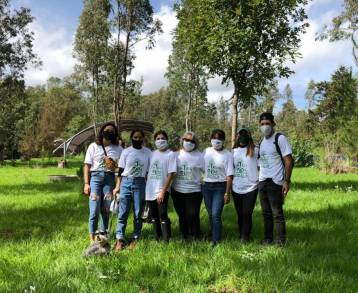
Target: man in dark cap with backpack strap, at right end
(276,163)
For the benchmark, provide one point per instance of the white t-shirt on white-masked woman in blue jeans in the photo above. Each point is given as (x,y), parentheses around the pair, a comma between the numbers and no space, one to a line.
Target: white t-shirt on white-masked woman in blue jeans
(218,165)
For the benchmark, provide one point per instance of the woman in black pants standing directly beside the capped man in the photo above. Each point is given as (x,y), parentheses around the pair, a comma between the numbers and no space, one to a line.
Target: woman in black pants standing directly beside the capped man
(246,180)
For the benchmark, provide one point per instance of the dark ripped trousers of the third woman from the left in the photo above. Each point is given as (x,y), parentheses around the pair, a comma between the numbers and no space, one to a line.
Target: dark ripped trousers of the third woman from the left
(160,219)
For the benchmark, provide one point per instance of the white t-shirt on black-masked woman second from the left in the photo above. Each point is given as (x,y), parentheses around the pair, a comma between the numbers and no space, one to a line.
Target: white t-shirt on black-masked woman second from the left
(135,162)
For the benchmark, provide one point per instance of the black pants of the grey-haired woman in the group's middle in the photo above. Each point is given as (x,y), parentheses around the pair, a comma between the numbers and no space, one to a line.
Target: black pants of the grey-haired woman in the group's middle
(187,206)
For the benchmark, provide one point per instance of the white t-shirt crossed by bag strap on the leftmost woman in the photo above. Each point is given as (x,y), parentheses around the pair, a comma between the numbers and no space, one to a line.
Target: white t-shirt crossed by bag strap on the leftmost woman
(95,156)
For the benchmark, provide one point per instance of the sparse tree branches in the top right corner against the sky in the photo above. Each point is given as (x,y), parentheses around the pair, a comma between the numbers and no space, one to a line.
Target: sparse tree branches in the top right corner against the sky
(343,27)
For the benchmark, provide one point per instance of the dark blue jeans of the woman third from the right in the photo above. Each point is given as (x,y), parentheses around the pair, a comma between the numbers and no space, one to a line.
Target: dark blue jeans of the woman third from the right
(213,193)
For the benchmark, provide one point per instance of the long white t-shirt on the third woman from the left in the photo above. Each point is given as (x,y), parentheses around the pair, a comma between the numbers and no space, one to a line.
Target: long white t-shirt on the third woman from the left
(161,164)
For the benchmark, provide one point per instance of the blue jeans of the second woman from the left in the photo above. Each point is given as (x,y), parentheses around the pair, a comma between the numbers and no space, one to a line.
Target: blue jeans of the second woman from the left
(132,189)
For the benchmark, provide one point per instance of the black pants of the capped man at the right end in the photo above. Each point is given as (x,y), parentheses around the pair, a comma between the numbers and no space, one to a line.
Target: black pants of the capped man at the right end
(271,198)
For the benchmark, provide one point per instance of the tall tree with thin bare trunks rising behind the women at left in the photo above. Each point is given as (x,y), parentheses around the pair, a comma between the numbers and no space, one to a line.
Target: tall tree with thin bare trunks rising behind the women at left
(132,19)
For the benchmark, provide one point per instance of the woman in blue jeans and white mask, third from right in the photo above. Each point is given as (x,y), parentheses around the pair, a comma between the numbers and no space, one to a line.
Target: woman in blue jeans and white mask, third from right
(219,170)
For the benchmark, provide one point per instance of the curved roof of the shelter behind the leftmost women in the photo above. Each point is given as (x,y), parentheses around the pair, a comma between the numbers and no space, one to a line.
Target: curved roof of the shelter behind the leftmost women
(74,142)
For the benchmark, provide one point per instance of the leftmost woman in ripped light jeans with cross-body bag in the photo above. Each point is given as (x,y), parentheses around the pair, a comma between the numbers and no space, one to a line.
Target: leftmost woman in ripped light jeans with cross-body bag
(100,164)
